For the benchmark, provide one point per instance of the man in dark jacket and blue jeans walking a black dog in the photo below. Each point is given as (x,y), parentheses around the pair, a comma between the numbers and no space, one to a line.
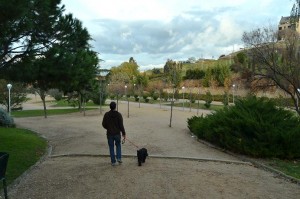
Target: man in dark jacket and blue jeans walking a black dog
(113,123)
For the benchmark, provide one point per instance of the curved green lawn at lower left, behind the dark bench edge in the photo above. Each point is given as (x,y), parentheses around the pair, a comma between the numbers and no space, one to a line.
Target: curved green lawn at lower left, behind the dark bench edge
(24,147)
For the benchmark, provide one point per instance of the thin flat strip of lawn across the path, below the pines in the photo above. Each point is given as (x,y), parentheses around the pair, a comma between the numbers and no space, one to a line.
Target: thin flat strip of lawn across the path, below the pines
(34,113)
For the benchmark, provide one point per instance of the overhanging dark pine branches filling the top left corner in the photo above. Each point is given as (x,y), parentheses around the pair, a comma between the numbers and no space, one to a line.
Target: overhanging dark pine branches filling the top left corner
(26,28)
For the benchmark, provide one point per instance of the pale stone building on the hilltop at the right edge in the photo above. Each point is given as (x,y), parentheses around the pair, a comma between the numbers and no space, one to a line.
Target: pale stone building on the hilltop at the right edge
(286,24)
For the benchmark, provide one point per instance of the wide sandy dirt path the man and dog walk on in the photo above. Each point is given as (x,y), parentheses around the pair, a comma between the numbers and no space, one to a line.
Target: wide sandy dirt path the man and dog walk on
(78,165)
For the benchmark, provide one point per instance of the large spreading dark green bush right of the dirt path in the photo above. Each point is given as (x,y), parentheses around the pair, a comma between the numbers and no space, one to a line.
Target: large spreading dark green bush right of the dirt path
(254,127)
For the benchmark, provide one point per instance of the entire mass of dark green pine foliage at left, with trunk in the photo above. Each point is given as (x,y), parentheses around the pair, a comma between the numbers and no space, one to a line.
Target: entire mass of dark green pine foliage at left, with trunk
(44,48)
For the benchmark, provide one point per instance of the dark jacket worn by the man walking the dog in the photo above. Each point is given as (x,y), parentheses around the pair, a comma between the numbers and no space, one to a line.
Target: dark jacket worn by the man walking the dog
(113,123)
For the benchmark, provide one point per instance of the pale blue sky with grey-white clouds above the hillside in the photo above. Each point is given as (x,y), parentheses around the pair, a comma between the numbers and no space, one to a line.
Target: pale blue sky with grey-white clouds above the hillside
(152,31)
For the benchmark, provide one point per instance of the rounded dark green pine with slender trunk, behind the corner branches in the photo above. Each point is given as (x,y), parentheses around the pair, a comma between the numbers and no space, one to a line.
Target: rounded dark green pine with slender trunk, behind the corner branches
(68,64)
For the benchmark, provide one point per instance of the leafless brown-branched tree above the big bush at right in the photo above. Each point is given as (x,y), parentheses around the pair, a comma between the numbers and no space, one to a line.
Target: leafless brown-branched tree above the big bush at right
(275,62)
